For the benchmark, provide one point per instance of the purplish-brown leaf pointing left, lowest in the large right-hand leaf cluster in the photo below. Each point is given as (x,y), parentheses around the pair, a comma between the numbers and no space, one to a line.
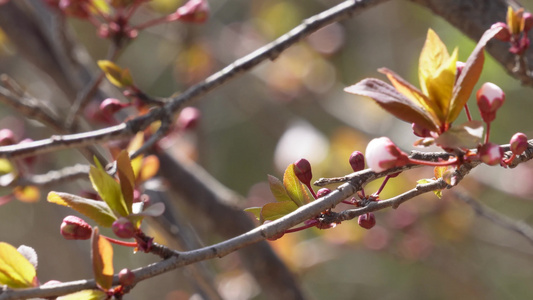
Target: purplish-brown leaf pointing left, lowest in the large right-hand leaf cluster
(392,101)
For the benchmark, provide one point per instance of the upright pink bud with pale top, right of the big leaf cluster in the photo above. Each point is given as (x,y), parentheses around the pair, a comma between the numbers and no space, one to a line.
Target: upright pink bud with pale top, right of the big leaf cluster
(490,98)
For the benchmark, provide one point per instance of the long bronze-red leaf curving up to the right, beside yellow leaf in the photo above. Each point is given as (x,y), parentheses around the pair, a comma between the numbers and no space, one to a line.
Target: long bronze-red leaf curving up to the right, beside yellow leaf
(470,75)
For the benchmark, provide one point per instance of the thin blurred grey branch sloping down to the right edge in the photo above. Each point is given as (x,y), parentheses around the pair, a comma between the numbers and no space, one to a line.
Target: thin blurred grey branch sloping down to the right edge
(486,212)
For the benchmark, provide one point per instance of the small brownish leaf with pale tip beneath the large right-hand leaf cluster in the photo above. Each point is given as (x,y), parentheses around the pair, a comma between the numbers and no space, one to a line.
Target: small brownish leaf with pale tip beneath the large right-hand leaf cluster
(464,136)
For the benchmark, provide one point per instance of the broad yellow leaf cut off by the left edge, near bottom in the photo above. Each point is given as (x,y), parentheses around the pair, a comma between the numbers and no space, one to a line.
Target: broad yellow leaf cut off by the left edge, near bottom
(15,270)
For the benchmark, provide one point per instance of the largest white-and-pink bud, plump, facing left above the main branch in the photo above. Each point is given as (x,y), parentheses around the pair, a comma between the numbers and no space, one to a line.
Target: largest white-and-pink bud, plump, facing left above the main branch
(382,154)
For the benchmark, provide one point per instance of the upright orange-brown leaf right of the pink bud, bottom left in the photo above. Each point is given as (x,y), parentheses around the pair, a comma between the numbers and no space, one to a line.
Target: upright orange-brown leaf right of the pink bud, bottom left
(102,257)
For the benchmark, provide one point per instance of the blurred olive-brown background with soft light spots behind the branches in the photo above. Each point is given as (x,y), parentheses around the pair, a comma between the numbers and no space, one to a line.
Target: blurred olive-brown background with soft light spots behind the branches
(290,108)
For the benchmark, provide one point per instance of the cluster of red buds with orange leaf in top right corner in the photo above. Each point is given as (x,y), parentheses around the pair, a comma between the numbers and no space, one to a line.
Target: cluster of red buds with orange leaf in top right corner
(515,30)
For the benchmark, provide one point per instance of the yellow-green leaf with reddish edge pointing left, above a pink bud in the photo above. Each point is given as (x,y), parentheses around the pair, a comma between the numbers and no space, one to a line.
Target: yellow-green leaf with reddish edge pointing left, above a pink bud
(98,211)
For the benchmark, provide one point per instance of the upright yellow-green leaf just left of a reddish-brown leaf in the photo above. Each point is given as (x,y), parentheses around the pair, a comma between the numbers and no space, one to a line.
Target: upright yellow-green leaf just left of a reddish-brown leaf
(109,190)
